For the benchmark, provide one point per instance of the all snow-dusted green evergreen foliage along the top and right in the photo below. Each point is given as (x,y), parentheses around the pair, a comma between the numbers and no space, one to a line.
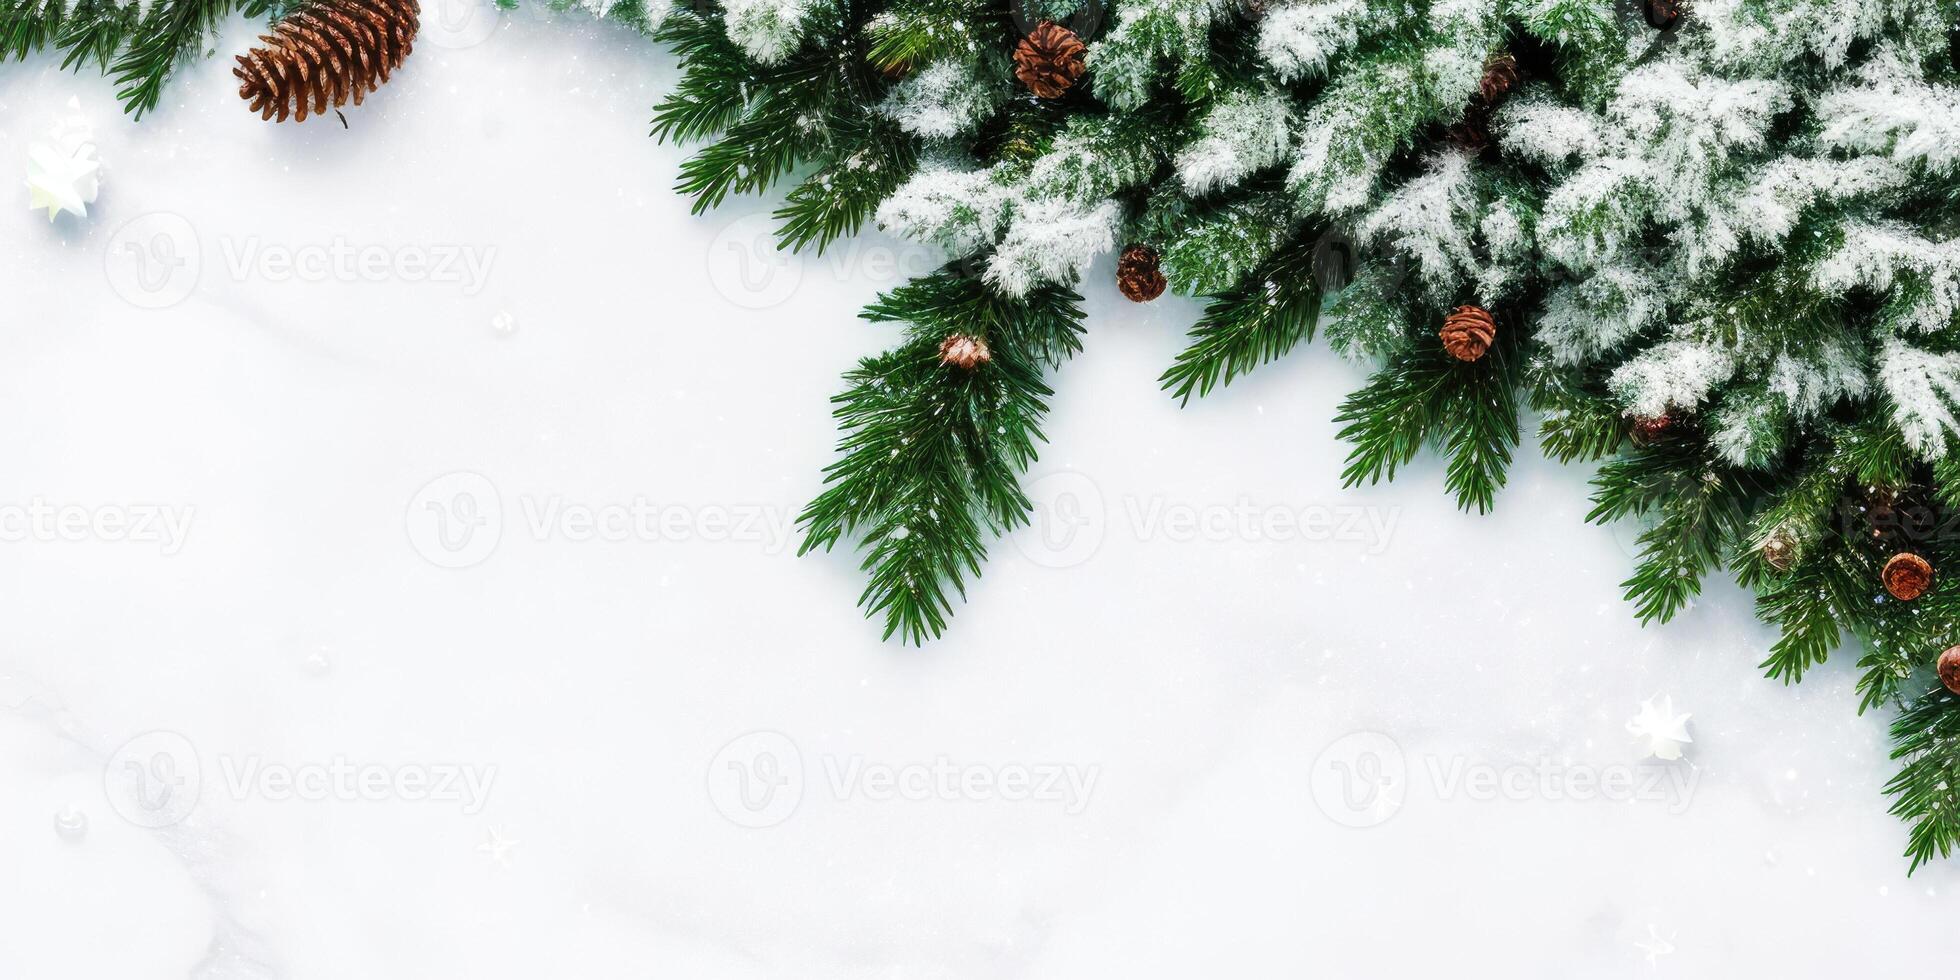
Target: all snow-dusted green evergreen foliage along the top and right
(1724,262)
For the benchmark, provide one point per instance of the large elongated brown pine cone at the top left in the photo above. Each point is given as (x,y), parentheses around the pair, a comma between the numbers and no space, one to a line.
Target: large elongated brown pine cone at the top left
(326,52)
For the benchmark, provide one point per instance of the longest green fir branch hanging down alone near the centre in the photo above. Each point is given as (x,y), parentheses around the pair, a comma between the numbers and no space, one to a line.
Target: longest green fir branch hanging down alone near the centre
(932,454)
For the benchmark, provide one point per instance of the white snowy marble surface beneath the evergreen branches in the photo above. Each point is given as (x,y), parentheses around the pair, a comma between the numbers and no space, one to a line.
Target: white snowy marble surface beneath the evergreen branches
(1167,644)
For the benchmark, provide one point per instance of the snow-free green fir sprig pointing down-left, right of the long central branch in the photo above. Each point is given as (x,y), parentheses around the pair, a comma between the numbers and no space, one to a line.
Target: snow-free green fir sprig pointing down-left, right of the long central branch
(1251,324)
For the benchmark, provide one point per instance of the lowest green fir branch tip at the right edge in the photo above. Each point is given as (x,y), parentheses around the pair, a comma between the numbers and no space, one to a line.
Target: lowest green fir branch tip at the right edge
(1928,787)
